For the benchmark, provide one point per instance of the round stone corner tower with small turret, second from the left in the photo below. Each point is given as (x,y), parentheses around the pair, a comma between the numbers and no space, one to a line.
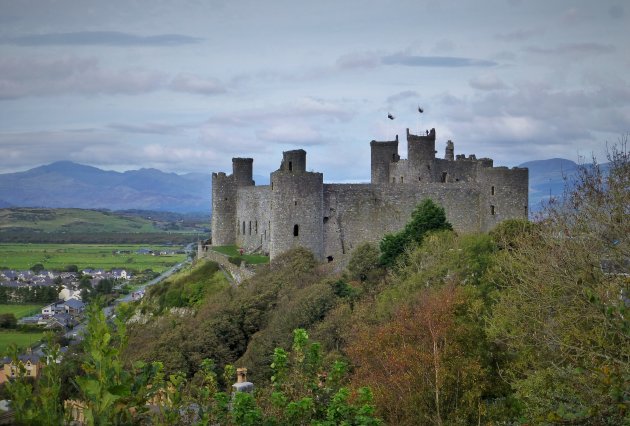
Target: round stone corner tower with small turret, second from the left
(297,199)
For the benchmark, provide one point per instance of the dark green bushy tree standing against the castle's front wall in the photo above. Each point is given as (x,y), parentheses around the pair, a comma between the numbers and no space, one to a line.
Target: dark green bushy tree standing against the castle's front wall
(426,217)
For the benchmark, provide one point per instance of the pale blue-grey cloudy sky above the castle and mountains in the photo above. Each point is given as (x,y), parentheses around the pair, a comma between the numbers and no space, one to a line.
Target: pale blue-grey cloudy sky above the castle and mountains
(184,86)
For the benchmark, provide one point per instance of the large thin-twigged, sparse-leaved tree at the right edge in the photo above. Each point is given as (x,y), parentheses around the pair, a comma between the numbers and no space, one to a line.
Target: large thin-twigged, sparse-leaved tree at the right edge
(562,311)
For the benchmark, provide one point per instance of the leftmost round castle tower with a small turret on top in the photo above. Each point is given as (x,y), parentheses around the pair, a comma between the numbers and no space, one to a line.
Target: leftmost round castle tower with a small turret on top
(224,200)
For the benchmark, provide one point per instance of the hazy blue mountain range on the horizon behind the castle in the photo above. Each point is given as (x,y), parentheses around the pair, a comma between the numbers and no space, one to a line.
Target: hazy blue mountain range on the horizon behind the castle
(68,184)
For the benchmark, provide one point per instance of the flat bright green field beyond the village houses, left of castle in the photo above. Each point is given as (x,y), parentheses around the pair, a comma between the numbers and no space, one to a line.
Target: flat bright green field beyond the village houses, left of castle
(98,256)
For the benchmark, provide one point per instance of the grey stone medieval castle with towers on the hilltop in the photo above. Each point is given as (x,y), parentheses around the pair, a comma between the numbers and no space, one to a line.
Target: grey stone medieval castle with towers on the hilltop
(299,209)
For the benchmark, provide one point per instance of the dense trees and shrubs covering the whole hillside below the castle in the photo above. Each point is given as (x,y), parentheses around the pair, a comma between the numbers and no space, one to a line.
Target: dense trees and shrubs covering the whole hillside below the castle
(525,325)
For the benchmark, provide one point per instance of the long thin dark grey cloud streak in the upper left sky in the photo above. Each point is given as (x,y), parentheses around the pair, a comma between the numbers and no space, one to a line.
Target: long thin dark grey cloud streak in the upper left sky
(101,38)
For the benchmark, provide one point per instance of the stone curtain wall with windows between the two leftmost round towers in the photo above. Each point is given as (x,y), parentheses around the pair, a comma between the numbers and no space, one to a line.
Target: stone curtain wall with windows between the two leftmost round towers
(253,217)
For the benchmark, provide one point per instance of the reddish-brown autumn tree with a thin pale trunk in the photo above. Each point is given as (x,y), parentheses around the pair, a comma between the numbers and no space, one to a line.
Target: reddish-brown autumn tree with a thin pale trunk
(425,365)
